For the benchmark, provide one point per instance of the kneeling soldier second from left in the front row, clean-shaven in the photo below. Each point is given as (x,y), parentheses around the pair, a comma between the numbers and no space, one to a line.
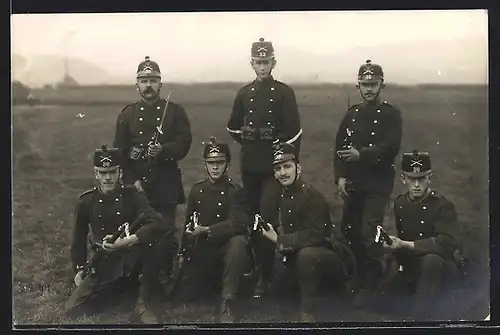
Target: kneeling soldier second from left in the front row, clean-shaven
(219,256)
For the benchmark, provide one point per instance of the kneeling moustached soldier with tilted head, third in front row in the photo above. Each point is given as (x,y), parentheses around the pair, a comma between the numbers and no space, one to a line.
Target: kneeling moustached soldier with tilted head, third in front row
(314,252)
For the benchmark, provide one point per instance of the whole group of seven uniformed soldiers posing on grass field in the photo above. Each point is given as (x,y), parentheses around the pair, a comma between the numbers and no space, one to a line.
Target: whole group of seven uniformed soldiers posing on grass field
(276,230)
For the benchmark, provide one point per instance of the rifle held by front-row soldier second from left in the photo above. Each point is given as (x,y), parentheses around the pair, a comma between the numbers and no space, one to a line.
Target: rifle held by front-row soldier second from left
(184,255)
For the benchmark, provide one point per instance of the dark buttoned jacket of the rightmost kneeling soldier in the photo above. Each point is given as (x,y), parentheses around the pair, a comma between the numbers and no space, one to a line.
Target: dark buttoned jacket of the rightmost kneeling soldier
(431,223)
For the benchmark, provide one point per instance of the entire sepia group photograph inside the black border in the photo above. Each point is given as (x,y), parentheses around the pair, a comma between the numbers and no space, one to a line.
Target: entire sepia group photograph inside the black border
(252,168)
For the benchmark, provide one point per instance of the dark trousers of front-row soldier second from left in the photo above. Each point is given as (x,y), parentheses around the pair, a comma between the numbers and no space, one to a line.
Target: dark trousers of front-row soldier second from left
(214,268)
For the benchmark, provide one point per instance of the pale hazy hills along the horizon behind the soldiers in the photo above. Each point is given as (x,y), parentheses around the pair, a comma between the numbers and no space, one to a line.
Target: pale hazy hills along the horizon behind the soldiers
(410,63)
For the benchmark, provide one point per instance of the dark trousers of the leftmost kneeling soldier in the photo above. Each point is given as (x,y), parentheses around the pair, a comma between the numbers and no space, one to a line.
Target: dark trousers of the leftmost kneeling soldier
(93,292)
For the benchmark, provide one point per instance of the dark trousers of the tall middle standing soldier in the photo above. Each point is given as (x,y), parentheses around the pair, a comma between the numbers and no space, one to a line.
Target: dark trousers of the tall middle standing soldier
(262,192)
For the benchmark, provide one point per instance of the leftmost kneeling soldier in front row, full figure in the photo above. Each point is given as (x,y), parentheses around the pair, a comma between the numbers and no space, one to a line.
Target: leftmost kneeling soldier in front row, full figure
(102,210)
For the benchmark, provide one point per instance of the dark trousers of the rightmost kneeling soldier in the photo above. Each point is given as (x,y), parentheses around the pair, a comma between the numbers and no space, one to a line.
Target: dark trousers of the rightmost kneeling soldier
(423,287)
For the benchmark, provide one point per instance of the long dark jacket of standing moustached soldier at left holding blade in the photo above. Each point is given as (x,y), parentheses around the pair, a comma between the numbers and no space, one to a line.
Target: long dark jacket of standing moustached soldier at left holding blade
(135,128)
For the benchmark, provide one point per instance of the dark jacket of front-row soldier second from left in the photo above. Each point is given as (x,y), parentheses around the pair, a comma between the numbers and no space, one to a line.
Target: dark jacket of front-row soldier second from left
(220,206)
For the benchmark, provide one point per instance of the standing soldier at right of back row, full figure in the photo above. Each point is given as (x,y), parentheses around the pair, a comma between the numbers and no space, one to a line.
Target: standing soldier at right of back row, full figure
(367,142)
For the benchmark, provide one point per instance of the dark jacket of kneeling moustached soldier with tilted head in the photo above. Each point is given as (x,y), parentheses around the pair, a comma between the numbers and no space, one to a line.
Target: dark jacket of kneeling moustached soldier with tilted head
(305,220)
